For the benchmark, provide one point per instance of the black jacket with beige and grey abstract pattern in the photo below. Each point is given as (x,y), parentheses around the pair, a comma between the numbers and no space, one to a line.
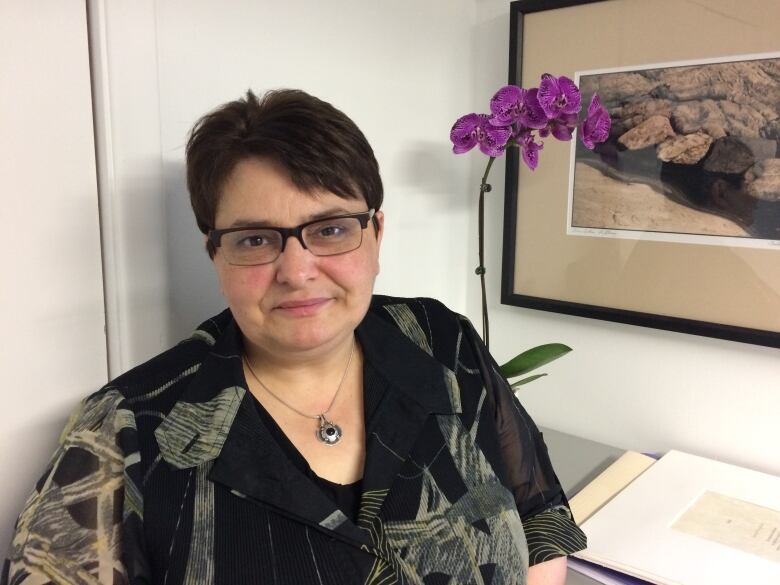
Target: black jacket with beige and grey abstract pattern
(168,475)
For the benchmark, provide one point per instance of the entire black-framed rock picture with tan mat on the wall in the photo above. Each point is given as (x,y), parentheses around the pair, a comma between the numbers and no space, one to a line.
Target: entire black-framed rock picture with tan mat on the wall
(674,222)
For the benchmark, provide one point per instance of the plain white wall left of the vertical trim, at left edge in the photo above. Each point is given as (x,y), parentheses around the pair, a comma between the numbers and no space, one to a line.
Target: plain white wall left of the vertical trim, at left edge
(51,295)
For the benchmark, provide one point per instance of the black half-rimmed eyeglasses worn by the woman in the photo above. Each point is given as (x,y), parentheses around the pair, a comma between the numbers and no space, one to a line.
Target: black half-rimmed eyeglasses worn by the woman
(254,245)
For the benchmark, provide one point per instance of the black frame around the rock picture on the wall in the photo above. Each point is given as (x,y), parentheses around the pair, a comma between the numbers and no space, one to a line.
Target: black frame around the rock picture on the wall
(518,11)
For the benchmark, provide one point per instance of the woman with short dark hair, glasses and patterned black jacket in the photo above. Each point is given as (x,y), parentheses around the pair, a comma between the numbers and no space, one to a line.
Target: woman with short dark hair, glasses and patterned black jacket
(312,432)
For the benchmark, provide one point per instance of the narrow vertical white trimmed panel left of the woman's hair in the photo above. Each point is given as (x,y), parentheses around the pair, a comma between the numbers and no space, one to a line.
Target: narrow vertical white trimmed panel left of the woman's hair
(125,76)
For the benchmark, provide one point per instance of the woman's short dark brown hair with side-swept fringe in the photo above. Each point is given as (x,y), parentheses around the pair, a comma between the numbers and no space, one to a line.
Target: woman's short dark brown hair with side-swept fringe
(317,144)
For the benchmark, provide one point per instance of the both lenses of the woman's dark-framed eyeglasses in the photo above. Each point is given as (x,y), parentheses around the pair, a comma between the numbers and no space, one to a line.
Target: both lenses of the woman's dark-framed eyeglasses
(323,238)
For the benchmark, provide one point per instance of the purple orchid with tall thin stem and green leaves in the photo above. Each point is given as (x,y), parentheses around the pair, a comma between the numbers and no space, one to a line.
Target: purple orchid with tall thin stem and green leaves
(523,118)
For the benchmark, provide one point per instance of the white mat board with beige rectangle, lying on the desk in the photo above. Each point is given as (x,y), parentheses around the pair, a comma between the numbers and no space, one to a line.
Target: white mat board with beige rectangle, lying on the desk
(688,520)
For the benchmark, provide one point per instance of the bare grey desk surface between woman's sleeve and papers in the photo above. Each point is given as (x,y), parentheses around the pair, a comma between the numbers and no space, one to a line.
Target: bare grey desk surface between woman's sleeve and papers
(577,462)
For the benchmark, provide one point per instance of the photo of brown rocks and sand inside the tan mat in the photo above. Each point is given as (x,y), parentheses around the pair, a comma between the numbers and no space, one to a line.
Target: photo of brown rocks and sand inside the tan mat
(693,150)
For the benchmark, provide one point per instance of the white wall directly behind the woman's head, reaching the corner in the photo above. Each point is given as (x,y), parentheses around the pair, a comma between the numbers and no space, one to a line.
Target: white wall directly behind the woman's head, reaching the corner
(400,69)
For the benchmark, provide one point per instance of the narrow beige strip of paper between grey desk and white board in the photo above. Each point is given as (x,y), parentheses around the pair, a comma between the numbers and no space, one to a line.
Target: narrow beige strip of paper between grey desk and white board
(608,484)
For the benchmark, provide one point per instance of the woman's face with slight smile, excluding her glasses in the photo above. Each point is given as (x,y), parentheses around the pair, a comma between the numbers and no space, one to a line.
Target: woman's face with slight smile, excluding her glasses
(300,304)
